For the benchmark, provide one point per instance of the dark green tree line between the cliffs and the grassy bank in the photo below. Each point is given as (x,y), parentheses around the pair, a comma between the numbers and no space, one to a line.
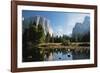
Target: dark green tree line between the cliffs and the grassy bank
(35,34)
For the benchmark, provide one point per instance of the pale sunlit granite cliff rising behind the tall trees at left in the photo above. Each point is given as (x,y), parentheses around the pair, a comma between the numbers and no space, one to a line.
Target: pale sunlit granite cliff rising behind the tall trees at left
(39,20)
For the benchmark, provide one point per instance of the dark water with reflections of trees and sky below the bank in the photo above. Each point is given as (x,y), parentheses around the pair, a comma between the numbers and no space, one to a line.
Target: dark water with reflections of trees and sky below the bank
(39,54)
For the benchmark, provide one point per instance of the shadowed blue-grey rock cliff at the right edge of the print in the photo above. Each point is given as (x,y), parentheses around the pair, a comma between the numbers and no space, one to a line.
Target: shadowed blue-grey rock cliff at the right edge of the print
(81,29)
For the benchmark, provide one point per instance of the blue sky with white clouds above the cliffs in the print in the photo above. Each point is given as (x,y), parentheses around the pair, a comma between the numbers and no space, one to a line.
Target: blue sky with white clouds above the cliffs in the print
(62,23)
